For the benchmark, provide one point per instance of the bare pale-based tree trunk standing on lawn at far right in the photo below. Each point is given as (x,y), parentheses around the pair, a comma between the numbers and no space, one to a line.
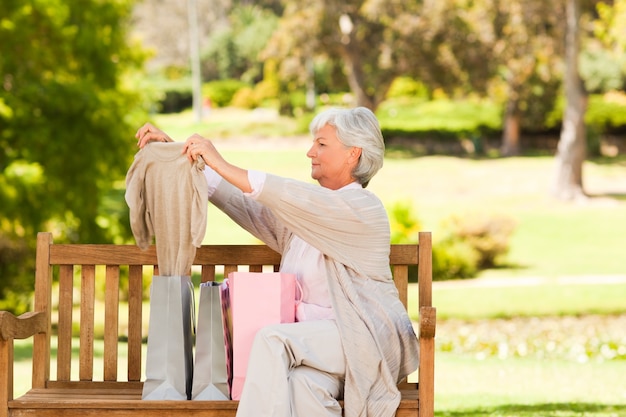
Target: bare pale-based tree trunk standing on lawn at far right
(571,151)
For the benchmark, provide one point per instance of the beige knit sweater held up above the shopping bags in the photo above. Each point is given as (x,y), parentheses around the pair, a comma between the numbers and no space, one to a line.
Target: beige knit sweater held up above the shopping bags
(167,197)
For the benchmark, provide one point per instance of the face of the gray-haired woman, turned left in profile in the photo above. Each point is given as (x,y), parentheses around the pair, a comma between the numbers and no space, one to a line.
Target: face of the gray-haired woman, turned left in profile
(332,162)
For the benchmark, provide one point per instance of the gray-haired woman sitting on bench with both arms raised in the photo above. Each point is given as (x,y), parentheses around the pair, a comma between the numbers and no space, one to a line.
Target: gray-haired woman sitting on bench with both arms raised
(353,338)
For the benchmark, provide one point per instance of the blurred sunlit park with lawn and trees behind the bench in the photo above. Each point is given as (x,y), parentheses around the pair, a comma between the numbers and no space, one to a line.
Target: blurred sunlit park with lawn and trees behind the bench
(505,125)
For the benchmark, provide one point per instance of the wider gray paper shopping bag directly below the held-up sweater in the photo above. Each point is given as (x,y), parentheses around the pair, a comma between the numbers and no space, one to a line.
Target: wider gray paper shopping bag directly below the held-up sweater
(169,356)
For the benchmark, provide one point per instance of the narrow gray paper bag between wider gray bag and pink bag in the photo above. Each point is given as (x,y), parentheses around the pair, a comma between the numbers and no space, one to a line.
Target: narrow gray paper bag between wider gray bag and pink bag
(210,378)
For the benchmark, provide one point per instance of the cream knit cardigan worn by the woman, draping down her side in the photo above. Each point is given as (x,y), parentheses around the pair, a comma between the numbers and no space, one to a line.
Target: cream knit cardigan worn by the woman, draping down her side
(350,227)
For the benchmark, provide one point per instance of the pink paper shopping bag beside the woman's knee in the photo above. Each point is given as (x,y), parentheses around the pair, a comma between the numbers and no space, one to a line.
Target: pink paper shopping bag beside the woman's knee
(257,300)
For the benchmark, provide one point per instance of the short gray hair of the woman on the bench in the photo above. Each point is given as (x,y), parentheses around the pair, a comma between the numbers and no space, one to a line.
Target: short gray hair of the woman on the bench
(357,127)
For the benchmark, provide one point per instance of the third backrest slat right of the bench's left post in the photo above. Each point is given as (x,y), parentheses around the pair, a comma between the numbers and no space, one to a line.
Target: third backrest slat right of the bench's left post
(111,321)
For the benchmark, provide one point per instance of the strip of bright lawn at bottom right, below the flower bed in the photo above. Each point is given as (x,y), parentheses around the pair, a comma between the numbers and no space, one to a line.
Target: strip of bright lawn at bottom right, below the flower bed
(469,386)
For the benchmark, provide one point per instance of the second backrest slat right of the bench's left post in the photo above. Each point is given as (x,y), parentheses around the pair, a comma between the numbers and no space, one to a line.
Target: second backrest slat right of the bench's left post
(87,304)
